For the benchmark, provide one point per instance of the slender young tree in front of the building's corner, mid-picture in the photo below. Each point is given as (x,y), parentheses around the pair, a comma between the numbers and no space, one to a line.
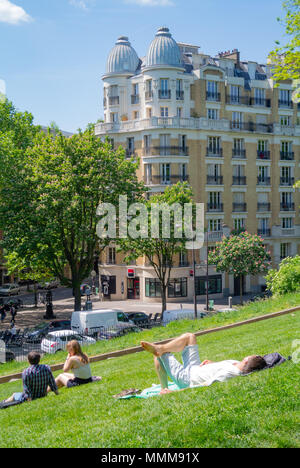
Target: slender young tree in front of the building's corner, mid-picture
(160,251)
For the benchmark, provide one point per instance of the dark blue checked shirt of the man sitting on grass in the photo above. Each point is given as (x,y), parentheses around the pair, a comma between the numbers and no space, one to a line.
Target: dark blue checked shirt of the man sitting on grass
(36,380)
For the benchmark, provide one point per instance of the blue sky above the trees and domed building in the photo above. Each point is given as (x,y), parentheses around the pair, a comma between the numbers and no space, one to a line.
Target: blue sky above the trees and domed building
(53,52)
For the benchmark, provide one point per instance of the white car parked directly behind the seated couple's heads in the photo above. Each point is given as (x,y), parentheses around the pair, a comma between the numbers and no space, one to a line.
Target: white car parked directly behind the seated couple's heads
(57,341)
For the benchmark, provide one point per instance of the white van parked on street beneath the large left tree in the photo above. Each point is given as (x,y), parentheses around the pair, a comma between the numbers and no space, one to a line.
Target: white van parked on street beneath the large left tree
(90,322)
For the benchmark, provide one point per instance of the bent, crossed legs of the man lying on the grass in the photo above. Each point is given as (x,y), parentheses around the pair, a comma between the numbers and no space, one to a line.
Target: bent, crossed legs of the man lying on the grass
(166,365)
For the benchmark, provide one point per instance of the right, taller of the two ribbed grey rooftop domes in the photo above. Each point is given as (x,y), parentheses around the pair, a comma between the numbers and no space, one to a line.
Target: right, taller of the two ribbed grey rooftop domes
(163,50)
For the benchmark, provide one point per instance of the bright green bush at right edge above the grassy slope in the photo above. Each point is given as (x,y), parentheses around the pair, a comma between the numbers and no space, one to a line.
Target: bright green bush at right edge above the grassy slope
(287,278)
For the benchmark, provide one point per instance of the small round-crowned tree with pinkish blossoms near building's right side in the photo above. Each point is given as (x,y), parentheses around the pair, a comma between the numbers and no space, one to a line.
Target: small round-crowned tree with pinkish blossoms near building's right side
(240,255)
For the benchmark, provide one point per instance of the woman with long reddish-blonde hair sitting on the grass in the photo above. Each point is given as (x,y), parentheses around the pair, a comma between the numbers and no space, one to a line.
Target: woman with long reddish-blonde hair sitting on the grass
(78,363)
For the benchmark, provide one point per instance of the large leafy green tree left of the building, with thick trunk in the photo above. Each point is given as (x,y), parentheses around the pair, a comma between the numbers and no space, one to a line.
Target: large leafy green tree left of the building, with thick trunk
(49,198)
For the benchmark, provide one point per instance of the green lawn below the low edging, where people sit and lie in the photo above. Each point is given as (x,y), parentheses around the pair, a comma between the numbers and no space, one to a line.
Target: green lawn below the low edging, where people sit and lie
(260,410)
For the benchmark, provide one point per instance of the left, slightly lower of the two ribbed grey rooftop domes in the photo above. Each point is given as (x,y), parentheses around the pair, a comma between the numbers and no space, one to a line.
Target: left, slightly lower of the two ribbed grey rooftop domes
(122,58)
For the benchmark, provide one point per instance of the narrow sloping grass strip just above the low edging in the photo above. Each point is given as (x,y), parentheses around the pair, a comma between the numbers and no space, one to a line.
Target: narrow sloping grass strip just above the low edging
(174,329)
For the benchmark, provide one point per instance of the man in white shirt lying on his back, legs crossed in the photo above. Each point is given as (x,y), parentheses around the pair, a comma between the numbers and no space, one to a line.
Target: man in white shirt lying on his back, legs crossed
(193,372)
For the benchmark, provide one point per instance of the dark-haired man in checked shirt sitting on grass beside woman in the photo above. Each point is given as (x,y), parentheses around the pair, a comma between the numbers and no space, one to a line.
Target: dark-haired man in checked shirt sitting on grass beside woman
(36,380)
